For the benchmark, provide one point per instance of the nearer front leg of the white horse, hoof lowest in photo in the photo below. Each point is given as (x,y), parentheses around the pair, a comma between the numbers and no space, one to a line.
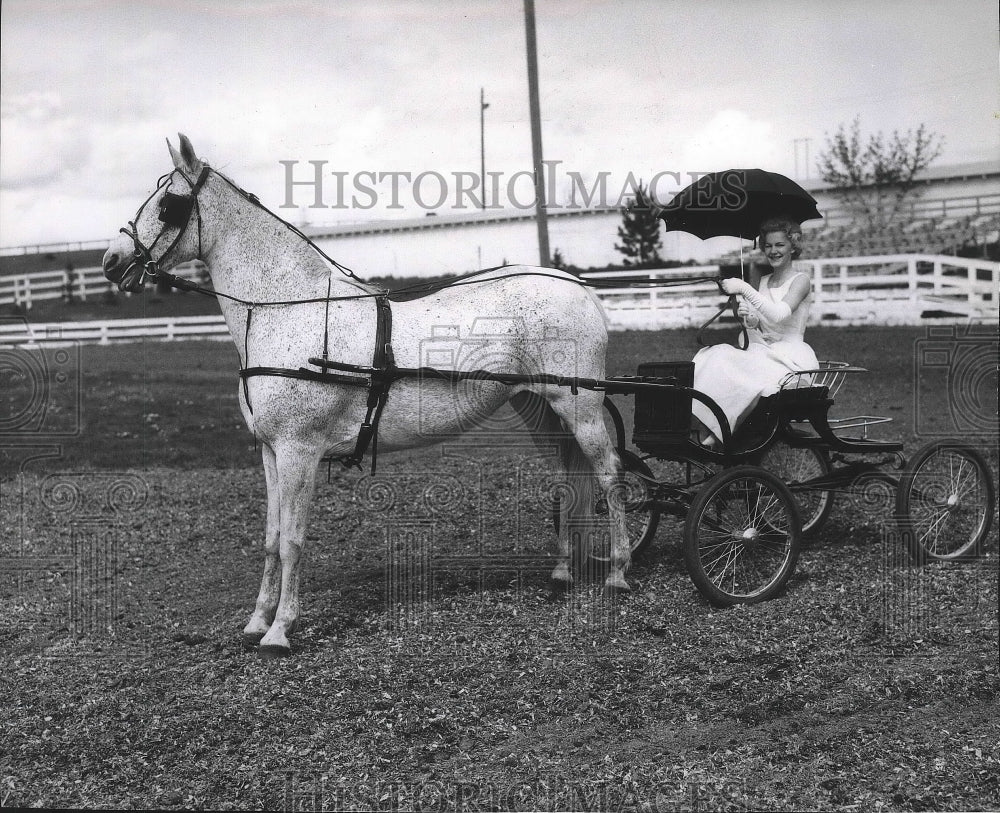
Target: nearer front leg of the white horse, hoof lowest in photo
(296,482)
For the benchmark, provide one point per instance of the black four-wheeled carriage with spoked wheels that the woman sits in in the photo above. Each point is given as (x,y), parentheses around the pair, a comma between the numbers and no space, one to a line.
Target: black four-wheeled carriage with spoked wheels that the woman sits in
(747,504)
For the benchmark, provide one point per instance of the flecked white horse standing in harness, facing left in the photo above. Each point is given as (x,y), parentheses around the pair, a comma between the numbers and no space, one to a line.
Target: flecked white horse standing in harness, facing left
(303,306)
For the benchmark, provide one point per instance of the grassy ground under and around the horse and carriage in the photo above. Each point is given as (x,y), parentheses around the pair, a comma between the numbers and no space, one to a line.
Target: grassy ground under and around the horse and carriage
(870,685)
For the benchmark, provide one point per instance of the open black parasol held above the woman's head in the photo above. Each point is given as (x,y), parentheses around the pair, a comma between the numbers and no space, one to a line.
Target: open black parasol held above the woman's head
(735,202)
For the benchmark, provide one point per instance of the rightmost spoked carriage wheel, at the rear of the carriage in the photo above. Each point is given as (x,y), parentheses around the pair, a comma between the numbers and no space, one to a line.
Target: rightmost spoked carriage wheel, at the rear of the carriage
(945,502)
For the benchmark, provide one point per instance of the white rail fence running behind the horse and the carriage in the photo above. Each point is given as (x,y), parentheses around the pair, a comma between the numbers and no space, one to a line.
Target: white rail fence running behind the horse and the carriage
(886,290)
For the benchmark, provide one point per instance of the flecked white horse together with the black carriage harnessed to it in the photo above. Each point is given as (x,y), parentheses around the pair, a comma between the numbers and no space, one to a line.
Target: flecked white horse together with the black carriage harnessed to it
(309,379)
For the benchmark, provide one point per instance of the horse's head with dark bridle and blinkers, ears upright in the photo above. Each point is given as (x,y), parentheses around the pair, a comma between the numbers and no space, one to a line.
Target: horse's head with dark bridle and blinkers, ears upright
(167,227)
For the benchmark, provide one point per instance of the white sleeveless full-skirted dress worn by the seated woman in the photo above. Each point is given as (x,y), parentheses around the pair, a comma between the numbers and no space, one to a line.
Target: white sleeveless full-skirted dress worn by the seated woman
(736,379)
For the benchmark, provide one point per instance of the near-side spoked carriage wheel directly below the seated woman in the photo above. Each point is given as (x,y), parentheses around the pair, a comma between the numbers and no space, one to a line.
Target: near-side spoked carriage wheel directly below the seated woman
(741,536)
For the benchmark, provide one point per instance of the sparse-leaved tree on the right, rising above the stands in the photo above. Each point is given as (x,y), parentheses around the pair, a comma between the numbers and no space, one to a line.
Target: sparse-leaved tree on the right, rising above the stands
(875,179)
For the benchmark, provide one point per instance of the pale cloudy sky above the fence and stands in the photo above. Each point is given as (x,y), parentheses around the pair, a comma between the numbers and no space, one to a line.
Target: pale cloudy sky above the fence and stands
(271,92)
